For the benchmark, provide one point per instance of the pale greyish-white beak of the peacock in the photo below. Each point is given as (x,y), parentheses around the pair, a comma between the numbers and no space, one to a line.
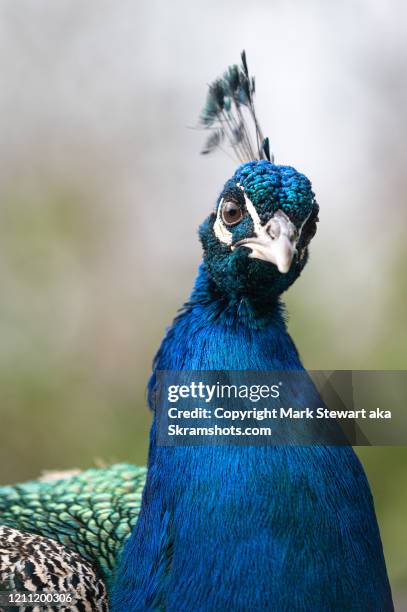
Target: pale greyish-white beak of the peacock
(274,242)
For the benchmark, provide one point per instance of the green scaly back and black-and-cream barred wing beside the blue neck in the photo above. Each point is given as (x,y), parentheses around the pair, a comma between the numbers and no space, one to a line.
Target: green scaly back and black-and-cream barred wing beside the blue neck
(65,532)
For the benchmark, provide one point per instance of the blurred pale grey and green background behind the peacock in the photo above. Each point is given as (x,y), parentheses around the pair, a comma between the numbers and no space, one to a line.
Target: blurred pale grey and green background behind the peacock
(102,189)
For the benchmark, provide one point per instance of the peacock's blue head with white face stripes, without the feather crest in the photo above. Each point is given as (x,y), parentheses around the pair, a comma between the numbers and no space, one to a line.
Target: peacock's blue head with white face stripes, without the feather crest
(256,241)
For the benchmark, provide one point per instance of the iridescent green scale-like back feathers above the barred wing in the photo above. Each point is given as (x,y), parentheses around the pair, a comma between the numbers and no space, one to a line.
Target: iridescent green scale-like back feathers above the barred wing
(92,512)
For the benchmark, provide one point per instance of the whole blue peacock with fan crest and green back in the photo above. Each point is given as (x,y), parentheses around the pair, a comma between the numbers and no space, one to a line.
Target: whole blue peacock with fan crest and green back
(215,527)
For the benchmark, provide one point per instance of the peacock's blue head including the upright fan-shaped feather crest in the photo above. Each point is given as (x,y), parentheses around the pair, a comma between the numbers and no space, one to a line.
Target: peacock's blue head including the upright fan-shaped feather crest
(256,241)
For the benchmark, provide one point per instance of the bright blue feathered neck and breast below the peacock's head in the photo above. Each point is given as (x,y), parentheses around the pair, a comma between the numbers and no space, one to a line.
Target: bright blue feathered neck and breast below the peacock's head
(248,527)
